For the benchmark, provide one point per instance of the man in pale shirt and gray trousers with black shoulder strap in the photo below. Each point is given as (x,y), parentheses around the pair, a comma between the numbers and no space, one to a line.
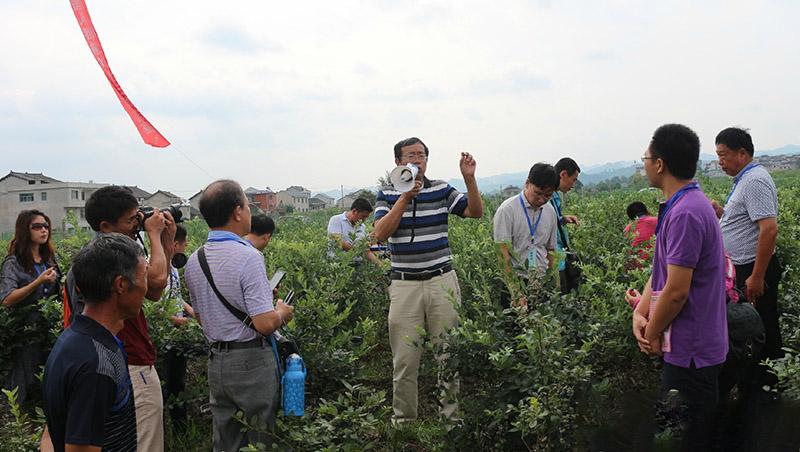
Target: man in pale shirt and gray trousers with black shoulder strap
(232,299)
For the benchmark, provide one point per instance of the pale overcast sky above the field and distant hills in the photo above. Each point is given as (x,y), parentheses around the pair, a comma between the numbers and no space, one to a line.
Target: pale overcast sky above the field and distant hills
(317,93)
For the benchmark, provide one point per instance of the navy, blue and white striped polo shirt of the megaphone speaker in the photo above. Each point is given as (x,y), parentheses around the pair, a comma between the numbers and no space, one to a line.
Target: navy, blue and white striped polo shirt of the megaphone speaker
(420,242)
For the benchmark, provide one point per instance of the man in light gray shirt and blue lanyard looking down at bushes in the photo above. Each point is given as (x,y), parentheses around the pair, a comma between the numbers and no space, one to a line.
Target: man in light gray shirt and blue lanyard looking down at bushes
(525,227)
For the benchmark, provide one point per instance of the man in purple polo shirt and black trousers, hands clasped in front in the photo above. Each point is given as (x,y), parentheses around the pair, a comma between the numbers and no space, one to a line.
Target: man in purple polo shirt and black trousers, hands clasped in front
(688,276)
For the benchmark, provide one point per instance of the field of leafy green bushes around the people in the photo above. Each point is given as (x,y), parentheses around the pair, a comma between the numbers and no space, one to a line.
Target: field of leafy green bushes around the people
(566,376)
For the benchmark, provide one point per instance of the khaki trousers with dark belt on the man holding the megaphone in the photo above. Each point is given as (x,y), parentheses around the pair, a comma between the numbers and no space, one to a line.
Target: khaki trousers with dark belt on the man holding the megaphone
(419,304)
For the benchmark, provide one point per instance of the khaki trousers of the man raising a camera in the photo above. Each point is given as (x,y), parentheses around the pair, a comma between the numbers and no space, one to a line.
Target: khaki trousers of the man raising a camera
(149,408)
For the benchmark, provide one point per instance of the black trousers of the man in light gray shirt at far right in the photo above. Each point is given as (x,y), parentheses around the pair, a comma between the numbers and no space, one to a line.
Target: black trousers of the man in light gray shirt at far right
(767,307)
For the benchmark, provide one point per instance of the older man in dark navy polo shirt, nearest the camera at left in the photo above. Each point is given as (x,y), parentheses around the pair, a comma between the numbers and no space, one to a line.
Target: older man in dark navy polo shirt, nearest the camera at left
(88,396)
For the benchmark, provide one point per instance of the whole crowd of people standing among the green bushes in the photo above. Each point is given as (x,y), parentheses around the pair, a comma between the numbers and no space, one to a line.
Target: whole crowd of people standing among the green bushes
(101,387)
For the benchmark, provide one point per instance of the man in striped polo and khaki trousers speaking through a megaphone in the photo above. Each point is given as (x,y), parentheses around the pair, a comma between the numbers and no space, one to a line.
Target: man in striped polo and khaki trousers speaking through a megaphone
(415,223)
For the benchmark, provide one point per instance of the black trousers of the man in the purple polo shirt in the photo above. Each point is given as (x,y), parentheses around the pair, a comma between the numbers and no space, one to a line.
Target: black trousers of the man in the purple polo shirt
(698,389)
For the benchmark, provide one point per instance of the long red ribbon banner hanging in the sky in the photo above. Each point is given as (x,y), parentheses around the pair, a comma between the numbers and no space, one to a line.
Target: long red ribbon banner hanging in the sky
(149,133)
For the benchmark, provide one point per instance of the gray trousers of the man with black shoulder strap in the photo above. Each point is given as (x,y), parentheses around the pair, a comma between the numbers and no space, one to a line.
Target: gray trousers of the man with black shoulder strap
(243,380)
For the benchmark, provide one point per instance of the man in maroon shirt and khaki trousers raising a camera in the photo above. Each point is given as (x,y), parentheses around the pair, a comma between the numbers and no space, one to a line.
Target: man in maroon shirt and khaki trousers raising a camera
(115,209)
